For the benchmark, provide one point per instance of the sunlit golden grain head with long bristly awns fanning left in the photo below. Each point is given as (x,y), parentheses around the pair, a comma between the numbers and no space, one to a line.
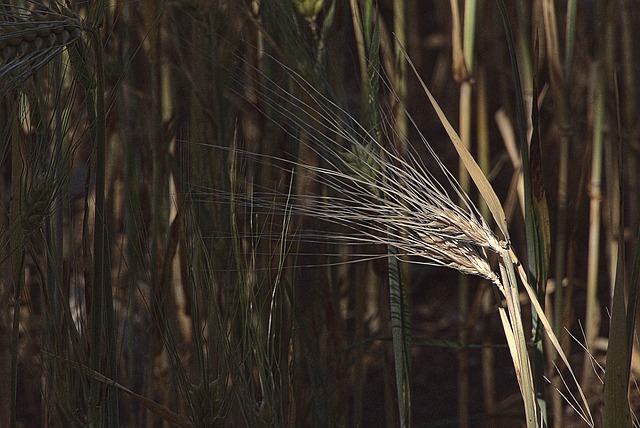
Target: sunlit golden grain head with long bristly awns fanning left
(379,195)
